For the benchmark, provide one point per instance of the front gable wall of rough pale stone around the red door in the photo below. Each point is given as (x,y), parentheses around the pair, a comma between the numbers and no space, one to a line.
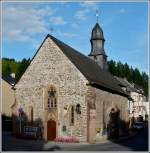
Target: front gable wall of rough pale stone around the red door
(51,67)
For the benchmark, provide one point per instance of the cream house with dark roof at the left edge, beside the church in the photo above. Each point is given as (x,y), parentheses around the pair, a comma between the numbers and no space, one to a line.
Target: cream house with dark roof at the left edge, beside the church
(8,95)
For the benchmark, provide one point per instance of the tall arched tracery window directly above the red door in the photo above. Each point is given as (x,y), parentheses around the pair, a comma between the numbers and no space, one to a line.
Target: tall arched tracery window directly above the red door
(52,101)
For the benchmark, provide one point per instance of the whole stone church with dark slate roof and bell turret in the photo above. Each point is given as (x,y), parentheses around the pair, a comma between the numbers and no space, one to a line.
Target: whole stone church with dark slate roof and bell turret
(66,93)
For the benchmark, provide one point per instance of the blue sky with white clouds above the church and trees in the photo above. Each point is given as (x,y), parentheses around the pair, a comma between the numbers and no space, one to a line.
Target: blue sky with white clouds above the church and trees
(124,24)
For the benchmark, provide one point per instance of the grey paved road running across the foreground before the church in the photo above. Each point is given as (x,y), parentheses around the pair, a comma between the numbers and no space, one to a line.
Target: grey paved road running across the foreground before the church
(136,143)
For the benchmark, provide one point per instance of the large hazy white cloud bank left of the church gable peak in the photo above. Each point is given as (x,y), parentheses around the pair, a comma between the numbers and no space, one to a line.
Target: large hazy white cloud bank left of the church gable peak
(21,23)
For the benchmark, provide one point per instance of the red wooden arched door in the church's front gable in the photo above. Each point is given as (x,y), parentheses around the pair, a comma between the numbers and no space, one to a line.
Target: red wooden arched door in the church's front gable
(51,130)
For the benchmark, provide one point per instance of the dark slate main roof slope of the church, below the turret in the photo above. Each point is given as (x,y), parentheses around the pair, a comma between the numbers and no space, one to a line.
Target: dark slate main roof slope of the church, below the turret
(89,68)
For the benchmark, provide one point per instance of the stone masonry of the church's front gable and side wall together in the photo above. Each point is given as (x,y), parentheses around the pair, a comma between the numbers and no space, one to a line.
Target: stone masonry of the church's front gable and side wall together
(50,67)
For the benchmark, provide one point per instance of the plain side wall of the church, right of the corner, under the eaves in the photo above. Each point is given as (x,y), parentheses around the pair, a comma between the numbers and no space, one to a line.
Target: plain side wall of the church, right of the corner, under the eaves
(104,102)
